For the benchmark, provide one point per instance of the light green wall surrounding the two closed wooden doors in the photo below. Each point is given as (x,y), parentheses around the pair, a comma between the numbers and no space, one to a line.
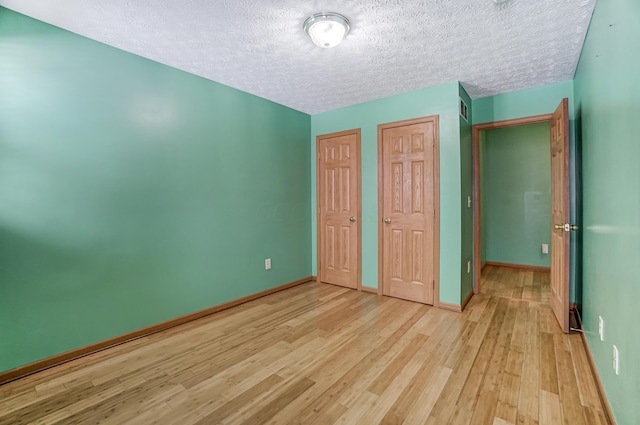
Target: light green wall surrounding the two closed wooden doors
(441,100)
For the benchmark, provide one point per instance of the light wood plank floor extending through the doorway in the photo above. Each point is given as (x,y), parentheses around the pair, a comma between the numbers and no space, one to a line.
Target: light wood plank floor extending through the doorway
(320,354)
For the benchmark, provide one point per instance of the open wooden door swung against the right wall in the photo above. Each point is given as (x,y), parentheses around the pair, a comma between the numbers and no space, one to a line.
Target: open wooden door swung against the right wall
(560,238)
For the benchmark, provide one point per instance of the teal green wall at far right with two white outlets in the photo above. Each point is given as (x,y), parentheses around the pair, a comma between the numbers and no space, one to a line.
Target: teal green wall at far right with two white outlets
(607,109)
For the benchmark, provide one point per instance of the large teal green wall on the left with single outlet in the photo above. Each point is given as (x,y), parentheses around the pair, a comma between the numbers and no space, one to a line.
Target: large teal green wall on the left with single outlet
(132,193)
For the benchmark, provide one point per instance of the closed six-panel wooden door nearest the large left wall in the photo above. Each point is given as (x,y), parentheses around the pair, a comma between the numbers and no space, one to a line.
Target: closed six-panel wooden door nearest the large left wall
(338,198)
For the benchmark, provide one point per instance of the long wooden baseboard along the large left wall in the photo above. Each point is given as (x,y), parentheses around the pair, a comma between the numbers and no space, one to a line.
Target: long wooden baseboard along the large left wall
(40,365)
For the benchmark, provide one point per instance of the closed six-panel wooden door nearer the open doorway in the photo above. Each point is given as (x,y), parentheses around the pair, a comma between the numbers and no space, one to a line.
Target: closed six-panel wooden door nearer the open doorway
(408,189)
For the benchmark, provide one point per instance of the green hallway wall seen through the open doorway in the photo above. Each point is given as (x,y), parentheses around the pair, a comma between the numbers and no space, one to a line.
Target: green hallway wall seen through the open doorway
(516,187)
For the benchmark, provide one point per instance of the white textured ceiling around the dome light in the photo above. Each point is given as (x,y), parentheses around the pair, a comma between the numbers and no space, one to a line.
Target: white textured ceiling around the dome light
(394,46)
